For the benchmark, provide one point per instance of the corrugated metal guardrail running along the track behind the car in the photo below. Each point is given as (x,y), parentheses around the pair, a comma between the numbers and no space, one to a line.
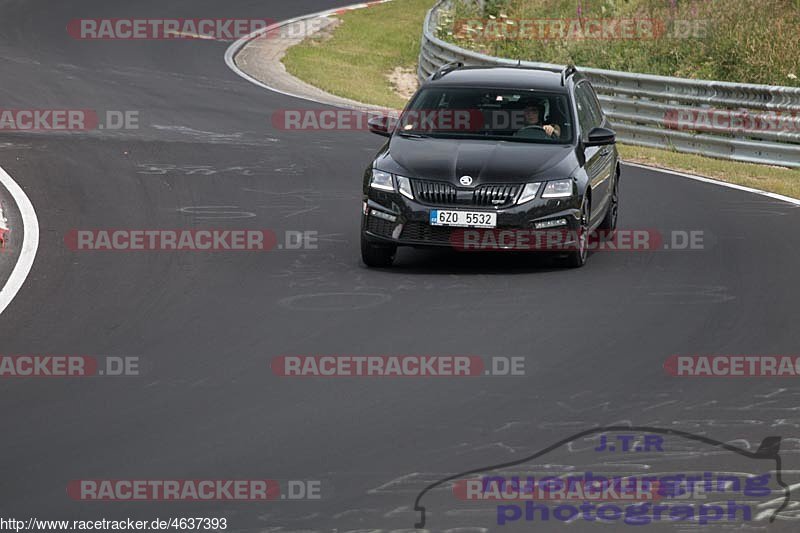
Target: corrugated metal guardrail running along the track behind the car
(645,109)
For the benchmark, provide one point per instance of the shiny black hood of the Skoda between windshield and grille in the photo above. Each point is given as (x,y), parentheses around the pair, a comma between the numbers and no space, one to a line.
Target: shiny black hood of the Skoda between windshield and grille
(485,161)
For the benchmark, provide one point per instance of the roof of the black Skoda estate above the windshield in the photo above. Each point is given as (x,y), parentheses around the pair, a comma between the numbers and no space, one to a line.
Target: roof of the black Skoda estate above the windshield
(501,78)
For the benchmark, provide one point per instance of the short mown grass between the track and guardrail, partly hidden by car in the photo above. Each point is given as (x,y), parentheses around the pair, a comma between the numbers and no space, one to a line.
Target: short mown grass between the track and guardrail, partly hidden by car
(370,43)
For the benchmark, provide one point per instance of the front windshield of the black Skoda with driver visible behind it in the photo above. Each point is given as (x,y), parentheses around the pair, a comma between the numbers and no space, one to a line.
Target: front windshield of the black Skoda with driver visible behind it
(499,114)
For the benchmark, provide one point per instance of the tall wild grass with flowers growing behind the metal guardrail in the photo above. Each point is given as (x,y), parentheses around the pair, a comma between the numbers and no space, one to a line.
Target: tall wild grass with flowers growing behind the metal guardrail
(708,39)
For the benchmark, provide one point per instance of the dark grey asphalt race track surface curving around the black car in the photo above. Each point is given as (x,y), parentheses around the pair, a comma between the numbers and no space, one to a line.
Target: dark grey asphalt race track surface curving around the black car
(205,326)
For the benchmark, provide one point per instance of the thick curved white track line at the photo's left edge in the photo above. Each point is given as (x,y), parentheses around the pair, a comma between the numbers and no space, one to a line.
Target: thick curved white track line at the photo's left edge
(30,241)
